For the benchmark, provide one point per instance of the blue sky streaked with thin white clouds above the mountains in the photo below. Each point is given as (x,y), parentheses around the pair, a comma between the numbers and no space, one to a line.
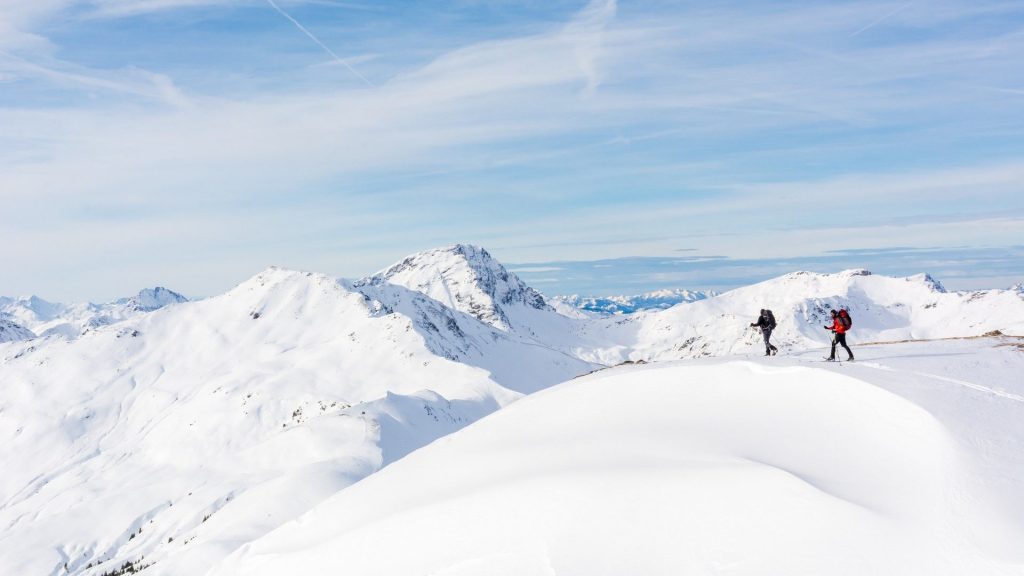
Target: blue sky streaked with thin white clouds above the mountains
(194,143)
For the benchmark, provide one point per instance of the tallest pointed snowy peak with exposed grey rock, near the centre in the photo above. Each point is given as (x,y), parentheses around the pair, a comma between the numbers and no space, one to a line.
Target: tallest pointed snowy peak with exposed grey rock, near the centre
(465,278)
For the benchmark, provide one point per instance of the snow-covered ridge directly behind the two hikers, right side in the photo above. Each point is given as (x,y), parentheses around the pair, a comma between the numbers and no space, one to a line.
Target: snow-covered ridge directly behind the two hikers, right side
(884,309)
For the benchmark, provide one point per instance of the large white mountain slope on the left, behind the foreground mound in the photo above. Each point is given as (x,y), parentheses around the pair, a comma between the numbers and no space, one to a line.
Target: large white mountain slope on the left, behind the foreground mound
(180,435)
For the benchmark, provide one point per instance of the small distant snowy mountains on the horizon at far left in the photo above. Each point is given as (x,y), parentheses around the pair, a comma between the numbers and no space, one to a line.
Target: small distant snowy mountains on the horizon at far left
(47,319)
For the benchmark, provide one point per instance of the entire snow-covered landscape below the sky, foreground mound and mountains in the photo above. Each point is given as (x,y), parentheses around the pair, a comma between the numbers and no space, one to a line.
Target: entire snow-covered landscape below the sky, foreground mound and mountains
(175,438)
